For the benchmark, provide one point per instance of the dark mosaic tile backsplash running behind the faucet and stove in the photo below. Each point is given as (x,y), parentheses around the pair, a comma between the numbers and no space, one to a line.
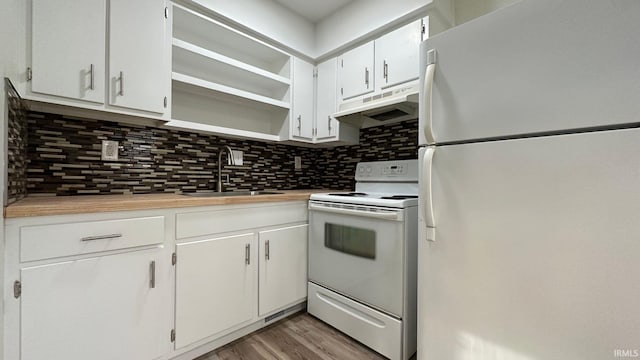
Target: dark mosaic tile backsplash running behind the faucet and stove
(64,159)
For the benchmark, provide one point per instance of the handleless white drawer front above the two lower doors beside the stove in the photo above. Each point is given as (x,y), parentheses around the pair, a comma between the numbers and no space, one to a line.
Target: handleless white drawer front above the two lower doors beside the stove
(220,221)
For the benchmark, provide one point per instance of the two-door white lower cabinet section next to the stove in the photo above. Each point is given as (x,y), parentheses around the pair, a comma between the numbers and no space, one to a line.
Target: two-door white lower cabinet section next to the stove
(231,281)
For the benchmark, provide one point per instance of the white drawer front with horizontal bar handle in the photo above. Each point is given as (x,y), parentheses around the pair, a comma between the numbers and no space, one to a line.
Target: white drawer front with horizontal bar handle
(50,241)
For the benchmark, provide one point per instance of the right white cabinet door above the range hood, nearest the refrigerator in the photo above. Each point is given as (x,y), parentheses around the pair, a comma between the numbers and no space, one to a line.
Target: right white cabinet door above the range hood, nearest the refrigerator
(397,55)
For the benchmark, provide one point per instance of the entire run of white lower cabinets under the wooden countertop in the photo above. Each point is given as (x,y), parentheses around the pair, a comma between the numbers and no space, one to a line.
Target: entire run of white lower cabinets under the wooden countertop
(150,285)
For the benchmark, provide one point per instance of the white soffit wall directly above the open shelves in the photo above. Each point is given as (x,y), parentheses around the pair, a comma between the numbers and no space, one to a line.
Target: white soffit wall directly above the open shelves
(269,18)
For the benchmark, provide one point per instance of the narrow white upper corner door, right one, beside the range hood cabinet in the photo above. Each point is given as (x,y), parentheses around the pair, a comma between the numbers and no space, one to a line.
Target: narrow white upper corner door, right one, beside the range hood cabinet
(326,91)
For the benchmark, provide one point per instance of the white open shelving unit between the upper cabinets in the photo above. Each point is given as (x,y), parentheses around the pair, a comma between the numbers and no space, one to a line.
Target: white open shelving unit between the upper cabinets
(225,82)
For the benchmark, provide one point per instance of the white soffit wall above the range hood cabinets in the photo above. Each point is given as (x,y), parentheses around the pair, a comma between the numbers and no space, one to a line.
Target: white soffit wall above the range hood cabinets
(361,19)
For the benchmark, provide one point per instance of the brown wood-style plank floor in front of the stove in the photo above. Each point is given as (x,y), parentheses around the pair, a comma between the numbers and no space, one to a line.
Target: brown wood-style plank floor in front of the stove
(300,336)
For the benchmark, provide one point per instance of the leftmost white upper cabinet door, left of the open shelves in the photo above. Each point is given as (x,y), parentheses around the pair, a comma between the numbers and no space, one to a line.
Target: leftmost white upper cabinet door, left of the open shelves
(68,48)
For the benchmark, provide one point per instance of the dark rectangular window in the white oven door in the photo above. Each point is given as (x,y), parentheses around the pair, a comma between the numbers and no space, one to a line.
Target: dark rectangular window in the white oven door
(350,240)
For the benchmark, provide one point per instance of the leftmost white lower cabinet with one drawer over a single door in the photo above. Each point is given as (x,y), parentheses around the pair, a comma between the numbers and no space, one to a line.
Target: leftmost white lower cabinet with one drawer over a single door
(87,287)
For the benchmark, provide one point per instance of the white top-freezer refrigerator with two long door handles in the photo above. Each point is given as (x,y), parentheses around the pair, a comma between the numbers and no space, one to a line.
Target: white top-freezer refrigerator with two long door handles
(530,185)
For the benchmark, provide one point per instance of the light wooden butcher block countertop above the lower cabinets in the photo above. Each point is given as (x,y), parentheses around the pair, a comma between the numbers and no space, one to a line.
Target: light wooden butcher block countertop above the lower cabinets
(81,204)
